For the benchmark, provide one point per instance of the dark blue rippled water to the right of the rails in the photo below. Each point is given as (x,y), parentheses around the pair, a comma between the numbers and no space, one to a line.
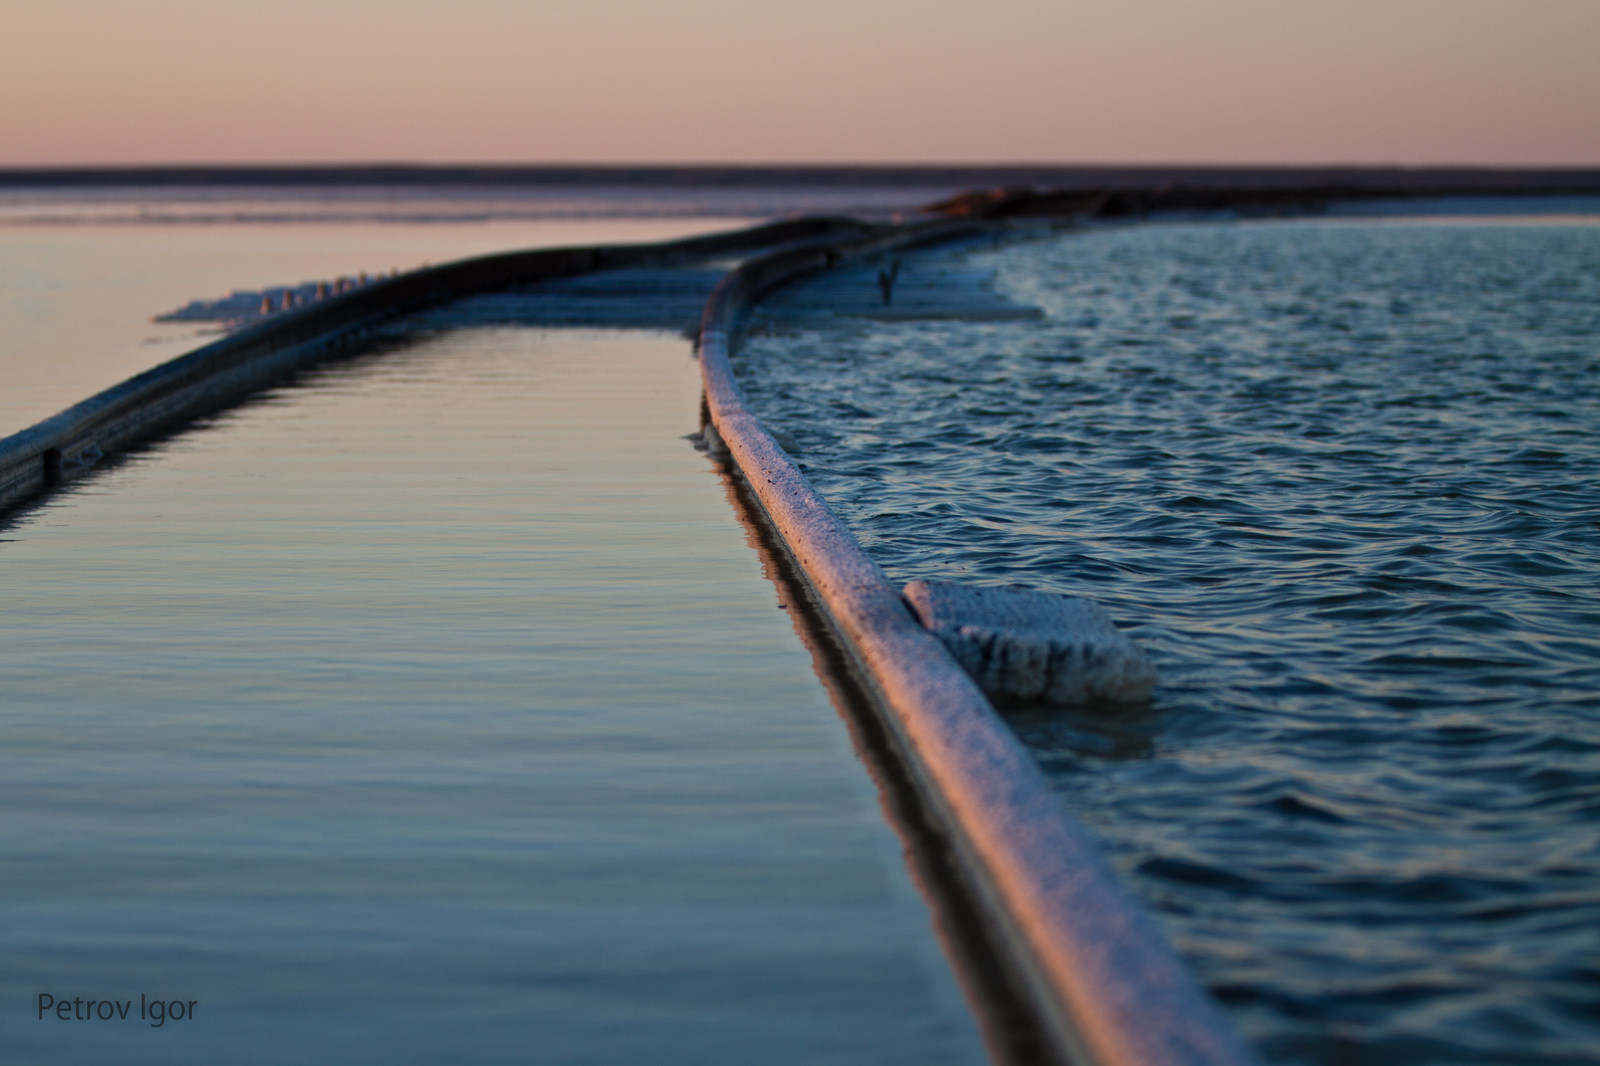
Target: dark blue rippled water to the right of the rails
(1343,481)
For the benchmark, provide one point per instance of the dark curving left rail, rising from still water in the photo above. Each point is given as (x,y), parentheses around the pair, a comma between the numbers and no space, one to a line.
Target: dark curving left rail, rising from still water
(226,372)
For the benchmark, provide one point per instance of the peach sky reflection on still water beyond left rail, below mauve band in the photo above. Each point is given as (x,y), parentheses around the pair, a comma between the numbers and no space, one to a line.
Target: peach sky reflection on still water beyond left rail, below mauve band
(78,299)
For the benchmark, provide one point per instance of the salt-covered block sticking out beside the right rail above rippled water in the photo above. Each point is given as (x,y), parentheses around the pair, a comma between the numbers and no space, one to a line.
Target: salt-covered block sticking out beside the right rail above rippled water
(1034,647)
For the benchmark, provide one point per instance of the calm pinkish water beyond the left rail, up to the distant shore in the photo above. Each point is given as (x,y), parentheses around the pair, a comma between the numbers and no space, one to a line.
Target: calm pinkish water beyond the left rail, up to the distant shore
(84,271)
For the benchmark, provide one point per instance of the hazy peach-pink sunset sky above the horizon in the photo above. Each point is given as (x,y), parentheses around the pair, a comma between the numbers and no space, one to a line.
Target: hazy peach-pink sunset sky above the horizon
(1490,82)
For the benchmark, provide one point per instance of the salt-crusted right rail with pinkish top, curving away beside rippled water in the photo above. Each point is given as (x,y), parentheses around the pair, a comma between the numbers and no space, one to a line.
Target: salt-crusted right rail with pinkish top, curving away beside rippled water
(1097,969)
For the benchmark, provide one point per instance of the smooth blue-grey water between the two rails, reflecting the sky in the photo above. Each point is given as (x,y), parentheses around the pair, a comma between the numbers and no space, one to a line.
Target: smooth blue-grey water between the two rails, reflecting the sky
(438,711)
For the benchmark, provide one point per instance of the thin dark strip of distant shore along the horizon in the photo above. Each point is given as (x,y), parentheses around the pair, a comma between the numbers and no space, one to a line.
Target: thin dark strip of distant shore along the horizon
(1407,182)
